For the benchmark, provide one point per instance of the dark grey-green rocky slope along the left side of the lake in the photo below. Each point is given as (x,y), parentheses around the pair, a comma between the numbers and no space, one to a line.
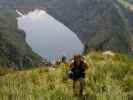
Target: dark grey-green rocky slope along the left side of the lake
(14,51)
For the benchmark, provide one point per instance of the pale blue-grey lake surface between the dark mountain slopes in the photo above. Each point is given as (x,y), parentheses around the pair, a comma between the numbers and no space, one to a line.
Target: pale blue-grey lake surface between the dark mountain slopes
(47,36)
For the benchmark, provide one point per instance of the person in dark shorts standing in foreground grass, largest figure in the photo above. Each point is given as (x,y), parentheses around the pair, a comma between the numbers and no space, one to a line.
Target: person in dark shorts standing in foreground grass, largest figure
(77,74)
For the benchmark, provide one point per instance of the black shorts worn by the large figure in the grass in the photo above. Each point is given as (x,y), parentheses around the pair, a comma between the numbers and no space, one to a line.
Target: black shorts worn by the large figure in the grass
(76,74)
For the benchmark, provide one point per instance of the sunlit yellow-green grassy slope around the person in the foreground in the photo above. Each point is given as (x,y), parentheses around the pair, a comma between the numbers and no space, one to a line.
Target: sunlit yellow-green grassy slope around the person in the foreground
(109,78)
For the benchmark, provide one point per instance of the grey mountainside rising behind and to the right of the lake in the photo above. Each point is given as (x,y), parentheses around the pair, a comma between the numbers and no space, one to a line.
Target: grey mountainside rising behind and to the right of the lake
(99,24)
